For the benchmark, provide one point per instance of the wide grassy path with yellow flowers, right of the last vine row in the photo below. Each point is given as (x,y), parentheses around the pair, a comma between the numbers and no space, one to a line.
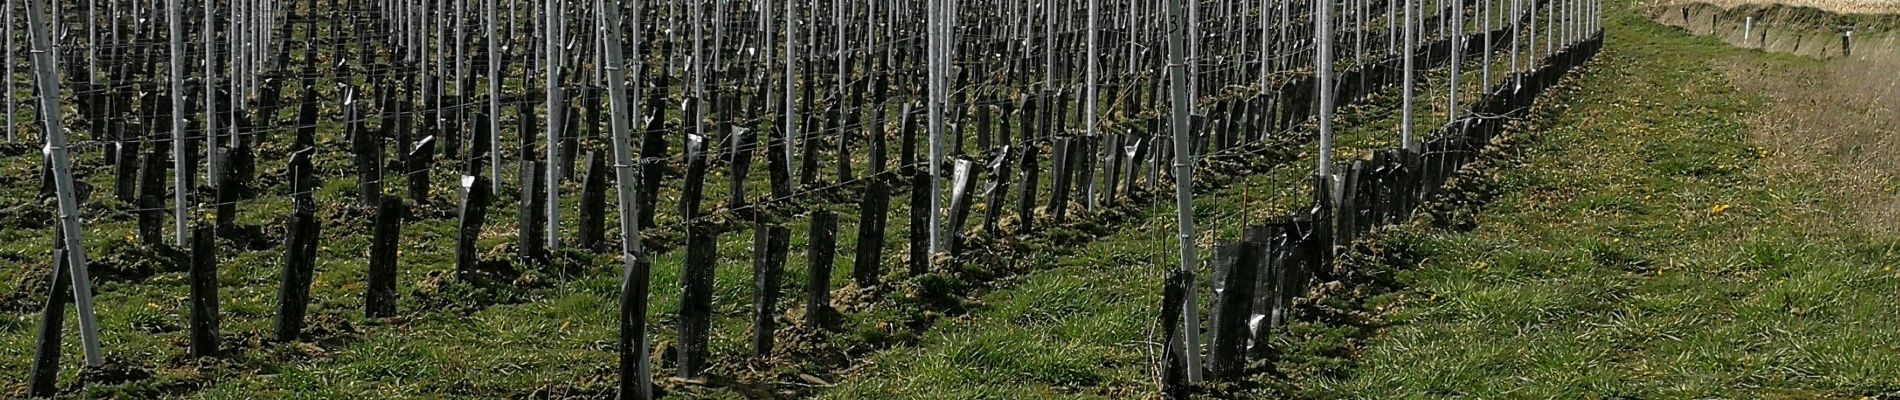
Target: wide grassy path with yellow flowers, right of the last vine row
(1646,245)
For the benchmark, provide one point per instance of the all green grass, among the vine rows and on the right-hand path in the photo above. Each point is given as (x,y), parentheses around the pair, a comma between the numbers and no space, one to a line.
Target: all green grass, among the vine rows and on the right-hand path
(1639,249)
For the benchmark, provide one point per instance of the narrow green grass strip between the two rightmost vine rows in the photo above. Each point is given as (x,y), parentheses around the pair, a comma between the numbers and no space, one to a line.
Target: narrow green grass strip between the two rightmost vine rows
(1088,325)
